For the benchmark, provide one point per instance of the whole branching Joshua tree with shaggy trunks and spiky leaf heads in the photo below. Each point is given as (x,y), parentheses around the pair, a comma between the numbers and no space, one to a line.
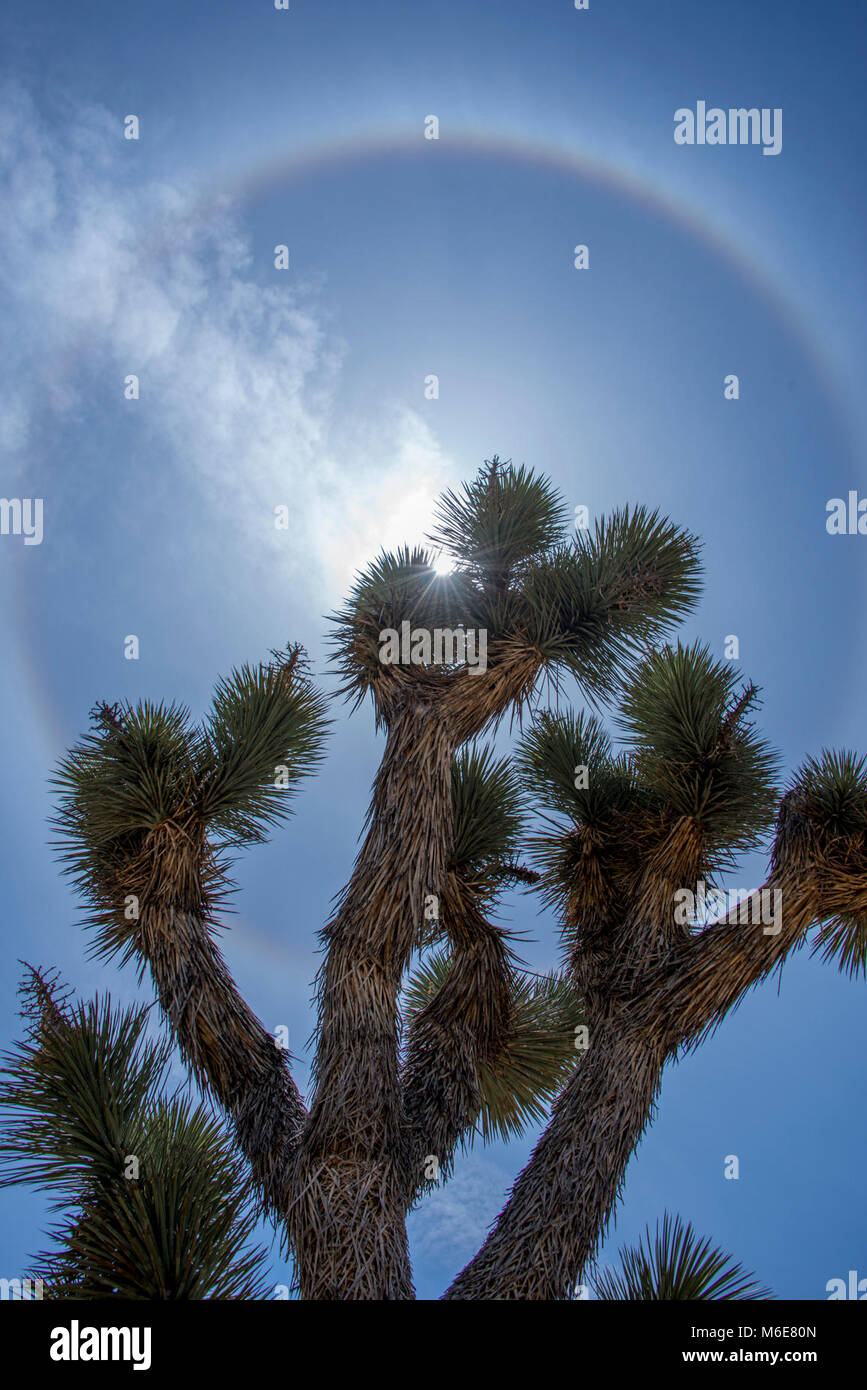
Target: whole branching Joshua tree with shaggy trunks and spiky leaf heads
(408,1068)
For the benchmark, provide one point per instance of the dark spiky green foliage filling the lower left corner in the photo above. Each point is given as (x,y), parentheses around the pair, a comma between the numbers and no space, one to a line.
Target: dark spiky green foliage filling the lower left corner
(156,1202)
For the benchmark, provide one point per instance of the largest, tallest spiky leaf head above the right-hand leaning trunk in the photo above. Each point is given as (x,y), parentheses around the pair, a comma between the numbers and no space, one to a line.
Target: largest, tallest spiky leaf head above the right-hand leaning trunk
(697,750)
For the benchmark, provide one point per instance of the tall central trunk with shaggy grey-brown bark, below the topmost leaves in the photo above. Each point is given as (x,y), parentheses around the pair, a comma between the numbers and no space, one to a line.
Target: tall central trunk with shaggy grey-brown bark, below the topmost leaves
(348,1217)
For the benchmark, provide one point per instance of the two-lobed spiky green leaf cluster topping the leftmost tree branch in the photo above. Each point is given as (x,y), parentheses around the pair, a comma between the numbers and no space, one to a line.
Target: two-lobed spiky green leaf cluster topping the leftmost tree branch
(147,771)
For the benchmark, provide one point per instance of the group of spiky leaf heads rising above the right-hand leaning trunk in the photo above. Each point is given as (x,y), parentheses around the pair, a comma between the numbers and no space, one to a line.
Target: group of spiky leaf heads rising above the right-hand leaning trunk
(697,780)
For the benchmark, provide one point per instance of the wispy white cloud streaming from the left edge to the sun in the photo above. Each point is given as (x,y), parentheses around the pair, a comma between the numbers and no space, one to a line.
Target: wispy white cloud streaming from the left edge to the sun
(108,273)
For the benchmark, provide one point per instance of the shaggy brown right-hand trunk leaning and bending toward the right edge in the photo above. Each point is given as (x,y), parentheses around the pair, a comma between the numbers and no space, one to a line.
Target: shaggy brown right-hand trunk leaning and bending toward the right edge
(559,1209)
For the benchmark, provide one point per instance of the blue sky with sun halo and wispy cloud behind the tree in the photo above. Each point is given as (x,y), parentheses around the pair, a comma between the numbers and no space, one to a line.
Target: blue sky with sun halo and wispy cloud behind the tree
(306,387)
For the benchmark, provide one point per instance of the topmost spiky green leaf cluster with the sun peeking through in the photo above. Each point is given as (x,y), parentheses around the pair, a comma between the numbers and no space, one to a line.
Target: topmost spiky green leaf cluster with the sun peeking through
(583,607)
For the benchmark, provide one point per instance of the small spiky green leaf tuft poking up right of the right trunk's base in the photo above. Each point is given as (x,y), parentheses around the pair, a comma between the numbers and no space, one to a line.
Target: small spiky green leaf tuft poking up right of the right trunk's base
(675,1263)
